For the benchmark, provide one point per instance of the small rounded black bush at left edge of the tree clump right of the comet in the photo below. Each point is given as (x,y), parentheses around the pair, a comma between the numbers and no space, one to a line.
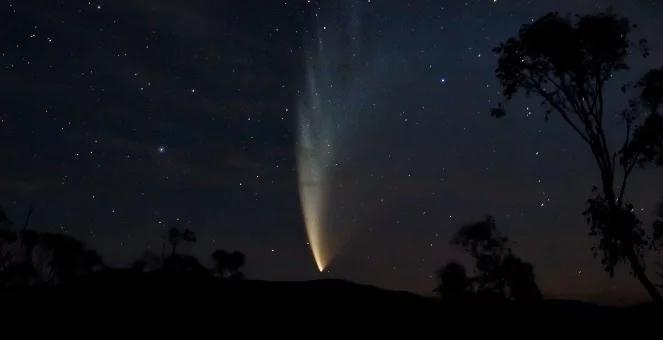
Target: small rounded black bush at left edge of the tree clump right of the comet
(455,285)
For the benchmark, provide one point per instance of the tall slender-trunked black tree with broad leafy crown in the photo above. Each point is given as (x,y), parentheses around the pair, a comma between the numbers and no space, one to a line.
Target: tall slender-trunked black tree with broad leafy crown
(568,64)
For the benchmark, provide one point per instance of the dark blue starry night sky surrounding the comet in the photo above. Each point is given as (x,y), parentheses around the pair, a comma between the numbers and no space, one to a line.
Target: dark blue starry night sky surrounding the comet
(120,119)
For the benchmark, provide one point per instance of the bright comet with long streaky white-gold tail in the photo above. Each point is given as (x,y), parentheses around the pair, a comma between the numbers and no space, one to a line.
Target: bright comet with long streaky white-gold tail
(326,112)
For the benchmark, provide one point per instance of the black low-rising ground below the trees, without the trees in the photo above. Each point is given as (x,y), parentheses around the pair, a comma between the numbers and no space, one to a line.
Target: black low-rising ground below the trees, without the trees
(119,297)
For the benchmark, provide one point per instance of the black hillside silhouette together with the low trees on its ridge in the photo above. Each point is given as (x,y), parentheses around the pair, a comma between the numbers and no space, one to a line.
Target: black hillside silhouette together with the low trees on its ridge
(64,280)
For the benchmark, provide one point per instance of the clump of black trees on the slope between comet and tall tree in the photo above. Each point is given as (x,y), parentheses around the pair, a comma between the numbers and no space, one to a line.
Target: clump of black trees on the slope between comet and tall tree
(500,274)
